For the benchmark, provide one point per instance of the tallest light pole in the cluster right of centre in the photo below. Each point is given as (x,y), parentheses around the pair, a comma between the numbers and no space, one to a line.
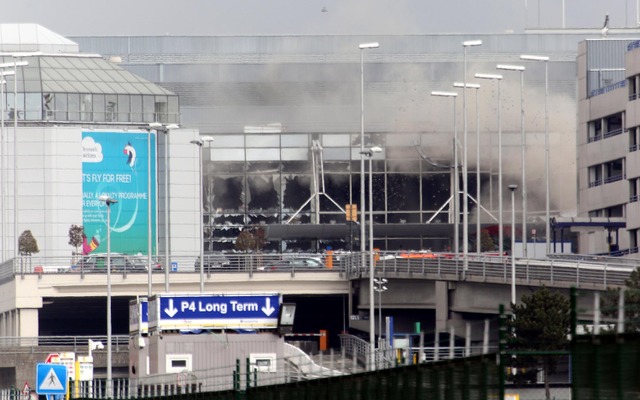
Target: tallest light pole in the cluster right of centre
(465,177)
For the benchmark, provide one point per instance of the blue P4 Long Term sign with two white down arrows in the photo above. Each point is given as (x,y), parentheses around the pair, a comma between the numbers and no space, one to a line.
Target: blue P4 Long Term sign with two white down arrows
(169,312)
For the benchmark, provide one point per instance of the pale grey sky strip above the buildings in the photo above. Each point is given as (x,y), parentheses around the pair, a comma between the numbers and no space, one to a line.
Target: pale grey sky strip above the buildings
(313,17)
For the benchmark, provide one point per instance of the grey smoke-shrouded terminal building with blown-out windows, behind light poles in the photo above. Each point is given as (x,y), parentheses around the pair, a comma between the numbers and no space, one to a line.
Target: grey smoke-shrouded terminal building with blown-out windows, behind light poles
(285,115)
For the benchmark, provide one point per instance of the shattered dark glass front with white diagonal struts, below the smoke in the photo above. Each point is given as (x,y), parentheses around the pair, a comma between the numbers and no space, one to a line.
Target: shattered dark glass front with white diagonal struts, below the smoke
(284,178)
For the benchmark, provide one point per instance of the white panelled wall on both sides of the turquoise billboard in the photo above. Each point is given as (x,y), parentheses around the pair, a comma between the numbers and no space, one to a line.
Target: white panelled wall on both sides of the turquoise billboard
(49,191)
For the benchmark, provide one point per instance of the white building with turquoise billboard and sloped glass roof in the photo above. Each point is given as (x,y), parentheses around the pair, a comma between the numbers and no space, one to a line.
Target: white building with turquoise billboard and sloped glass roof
(76,126)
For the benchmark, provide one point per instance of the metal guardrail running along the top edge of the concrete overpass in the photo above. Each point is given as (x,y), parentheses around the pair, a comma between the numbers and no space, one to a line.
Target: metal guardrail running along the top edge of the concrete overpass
(582,271)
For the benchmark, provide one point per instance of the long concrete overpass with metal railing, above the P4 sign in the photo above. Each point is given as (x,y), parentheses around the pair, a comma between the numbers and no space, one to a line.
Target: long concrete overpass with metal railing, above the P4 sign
(37,301)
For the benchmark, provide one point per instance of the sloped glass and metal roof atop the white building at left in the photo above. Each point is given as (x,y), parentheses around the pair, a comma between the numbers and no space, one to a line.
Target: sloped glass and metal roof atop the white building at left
(59,84)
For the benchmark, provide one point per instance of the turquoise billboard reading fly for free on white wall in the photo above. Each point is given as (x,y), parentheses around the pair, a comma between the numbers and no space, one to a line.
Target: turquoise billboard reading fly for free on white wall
(115,164)
